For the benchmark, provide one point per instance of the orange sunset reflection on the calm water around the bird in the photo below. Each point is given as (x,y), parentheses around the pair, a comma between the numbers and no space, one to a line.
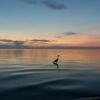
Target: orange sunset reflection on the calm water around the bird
(69,57)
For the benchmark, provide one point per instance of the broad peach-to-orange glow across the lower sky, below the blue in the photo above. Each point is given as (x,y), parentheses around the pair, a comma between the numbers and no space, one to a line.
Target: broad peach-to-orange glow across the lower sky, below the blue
(77,40)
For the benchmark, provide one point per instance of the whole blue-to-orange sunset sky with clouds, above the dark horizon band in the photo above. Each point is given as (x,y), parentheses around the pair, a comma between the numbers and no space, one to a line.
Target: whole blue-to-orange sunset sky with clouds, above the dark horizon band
(50,22)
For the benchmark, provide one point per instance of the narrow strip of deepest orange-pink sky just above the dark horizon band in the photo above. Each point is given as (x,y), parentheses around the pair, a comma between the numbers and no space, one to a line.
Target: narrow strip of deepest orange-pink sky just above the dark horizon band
(88,43)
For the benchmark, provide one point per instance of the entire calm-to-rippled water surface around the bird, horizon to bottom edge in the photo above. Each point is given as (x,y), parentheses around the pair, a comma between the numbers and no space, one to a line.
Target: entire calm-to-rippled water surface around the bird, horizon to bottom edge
(30,75)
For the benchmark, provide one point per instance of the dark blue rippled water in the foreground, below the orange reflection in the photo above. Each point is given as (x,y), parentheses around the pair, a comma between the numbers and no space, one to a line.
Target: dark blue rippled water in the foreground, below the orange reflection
(49,85)
